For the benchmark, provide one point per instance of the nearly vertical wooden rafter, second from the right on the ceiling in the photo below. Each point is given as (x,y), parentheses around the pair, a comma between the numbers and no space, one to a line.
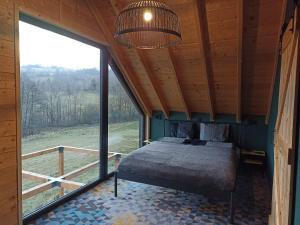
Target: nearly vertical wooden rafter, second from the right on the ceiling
(240,19)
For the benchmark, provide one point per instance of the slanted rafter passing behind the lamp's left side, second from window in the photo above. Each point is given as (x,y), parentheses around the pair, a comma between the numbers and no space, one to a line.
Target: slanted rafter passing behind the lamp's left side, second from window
(149,73)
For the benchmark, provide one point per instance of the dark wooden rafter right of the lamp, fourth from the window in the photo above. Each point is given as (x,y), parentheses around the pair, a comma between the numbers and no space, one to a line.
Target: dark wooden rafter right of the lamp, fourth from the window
(205,46)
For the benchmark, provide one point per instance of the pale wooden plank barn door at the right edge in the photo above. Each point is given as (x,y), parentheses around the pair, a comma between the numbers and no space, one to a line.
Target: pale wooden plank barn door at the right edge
(285,130)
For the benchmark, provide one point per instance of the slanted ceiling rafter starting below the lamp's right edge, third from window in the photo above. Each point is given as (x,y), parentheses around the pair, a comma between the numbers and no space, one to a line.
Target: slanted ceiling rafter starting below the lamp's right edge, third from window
(179,88)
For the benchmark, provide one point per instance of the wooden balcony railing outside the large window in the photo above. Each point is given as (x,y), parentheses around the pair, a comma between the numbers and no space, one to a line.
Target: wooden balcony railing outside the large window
(63,181)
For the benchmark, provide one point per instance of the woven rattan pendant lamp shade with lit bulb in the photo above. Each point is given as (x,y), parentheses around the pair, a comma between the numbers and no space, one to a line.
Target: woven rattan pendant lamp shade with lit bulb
(147,25)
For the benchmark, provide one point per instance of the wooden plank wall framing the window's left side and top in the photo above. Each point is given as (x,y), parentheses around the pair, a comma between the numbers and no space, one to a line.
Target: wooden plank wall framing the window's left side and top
(70,14)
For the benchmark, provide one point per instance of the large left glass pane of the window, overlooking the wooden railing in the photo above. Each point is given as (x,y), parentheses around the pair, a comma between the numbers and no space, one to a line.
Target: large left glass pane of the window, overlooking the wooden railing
(60,87)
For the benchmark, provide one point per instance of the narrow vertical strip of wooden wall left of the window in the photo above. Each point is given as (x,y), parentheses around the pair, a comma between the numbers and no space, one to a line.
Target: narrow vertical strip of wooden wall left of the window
(9,213)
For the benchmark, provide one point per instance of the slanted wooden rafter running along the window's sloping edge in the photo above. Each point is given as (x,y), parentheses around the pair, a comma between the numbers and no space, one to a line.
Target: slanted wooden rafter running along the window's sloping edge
(121,60)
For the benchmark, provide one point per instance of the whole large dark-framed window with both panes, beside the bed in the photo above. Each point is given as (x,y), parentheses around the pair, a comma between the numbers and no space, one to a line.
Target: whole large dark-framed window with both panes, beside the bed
(78,115)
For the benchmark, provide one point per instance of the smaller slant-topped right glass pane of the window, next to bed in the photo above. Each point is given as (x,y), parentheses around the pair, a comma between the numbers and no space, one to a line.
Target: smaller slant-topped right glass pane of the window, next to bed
(123,122)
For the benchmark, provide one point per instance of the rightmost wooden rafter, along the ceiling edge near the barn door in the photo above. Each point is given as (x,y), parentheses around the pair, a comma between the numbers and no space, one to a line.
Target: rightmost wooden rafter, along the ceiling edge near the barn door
(282,18)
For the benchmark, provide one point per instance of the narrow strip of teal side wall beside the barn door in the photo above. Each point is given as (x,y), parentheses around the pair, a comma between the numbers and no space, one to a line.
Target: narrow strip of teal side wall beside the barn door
(271,127)
